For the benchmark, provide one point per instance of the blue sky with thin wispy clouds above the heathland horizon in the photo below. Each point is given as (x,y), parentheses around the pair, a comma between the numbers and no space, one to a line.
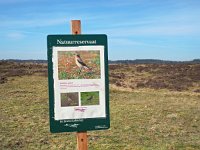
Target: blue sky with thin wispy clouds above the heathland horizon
(136,29)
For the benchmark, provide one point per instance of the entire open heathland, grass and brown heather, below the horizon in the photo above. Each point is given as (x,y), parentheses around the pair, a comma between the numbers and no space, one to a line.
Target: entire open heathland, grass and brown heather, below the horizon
(152,106)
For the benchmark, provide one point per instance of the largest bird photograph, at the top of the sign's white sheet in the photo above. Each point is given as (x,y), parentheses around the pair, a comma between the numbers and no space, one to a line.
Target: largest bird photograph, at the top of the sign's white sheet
(79,65)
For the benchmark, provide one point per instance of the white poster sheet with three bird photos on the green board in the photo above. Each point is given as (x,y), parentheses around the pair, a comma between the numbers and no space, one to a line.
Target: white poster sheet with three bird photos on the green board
(79,82)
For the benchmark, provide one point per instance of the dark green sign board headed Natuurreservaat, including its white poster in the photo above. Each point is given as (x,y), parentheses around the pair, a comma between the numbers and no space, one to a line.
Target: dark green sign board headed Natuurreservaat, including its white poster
(78,83)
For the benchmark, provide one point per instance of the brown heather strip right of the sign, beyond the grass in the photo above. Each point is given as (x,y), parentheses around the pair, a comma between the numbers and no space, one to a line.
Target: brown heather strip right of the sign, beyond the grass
(174,77)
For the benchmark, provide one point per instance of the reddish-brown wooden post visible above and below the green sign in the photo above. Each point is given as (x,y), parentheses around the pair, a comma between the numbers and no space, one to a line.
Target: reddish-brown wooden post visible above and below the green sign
(81,136)
